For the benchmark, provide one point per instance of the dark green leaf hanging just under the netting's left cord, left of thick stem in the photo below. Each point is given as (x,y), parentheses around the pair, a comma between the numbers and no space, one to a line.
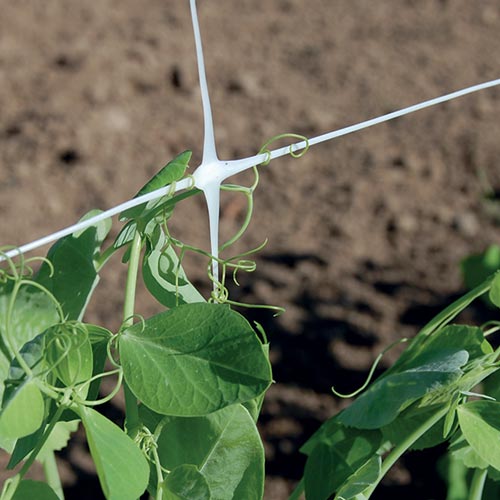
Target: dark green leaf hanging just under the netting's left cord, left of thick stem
(74,277)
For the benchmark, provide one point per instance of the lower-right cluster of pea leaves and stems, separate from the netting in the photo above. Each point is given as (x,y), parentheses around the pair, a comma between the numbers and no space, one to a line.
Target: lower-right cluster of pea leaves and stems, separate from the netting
(425,399)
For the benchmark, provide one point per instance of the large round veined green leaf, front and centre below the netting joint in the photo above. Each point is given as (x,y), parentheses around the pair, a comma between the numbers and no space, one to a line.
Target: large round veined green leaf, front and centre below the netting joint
(193,360)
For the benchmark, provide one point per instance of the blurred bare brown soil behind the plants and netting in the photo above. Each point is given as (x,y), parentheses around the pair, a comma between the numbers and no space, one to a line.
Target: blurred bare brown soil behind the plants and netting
(365,233)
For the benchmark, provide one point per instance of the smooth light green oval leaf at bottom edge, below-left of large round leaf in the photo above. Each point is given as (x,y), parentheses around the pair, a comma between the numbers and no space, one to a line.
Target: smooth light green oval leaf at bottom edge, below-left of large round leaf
(122,469)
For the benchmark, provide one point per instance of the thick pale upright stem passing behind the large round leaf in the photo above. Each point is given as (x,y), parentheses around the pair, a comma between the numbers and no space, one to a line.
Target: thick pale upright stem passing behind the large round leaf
(131,408)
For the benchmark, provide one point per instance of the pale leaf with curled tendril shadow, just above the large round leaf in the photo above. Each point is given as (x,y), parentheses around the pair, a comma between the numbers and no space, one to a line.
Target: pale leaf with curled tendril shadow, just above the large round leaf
(165,278)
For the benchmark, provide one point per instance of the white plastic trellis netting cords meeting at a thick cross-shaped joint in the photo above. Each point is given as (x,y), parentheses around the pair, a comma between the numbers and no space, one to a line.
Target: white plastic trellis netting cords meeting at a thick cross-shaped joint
(212,172)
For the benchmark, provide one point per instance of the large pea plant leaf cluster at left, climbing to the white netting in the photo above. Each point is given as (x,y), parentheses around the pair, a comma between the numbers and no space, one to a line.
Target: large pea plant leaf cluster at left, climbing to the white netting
(194,375)
